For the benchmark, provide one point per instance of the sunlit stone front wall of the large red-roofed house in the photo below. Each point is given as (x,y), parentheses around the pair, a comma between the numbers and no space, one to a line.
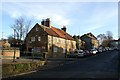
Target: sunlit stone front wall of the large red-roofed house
(56,45)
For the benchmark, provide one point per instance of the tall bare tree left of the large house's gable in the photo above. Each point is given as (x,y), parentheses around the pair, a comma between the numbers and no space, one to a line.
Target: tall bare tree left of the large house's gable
(21,27)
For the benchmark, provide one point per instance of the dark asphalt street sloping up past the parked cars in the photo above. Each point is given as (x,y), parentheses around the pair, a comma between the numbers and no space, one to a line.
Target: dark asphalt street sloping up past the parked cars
(100,66)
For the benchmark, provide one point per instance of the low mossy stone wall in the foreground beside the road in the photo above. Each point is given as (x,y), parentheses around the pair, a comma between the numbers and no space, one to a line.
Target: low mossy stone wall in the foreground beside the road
(10,69)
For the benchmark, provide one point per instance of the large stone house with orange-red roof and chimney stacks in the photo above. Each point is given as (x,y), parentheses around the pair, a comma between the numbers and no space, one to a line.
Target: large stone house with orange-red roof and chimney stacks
(46,38)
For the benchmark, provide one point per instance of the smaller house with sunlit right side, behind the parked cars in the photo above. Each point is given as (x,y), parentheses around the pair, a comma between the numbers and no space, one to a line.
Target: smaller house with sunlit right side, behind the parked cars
(90,41)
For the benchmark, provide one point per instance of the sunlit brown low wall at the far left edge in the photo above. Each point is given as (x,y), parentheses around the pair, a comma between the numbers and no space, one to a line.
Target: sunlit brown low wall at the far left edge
(8,54)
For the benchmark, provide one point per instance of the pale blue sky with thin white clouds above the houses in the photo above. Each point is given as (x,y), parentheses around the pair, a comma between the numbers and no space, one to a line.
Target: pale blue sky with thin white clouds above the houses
(80,17)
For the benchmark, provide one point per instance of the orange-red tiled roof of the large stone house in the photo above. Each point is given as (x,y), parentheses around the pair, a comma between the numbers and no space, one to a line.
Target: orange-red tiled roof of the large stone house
(57,32)
